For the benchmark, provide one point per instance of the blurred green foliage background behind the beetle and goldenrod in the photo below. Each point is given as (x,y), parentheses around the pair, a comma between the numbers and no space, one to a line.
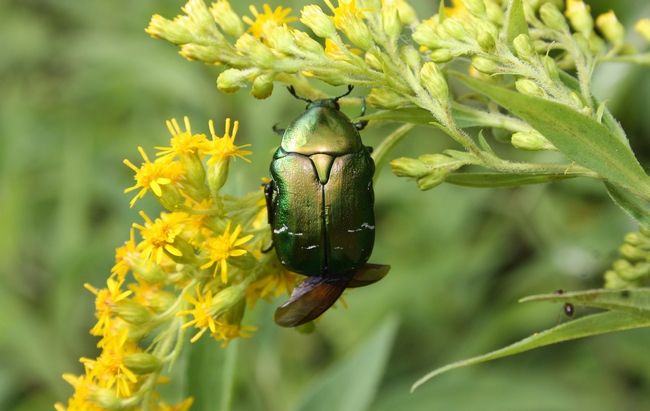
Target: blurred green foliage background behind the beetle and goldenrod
(82,85)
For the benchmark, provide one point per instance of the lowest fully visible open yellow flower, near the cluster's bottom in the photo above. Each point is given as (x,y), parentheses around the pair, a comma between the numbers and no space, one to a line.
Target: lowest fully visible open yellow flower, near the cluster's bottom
(109,369)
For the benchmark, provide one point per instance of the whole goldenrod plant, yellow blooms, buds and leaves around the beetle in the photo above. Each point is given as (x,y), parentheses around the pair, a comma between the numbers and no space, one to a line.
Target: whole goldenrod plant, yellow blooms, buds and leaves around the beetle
(484,72)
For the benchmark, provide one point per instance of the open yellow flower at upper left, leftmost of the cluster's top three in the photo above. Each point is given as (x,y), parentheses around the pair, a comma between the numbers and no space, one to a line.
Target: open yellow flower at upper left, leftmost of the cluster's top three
(152,175)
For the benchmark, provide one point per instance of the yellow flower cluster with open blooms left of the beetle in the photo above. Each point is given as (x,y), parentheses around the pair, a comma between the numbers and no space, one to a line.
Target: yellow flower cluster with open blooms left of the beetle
(174,283)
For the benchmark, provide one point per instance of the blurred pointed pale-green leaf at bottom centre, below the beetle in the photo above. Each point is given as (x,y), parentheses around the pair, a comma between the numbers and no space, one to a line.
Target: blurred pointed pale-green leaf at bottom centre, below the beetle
(351,384)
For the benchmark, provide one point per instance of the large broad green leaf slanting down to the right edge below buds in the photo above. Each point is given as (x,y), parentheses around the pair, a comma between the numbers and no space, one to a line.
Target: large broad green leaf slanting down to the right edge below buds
(579,137)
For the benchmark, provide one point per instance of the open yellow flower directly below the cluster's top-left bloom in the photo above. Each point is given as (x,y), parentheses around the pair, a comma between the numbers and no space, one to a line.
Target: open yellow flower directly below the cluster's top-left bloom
(159,236)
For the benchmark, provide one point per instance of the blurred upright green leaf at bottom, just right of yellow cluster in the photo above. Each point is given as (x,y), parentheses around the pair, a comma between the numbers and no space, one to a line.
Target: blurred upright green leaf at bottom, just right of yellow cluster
(210,374)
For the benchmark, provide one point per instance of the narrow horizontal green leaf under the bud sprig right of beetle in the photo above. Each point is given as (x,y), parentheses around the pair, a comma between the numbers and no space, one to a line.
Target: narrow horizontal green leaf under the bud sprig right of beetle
(503,180)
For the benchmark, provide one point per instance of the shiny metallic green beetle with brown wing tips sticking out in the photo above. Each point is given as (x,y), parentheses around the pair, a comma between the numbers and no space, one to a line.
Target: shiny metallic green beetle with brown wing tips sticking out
(320,208)
